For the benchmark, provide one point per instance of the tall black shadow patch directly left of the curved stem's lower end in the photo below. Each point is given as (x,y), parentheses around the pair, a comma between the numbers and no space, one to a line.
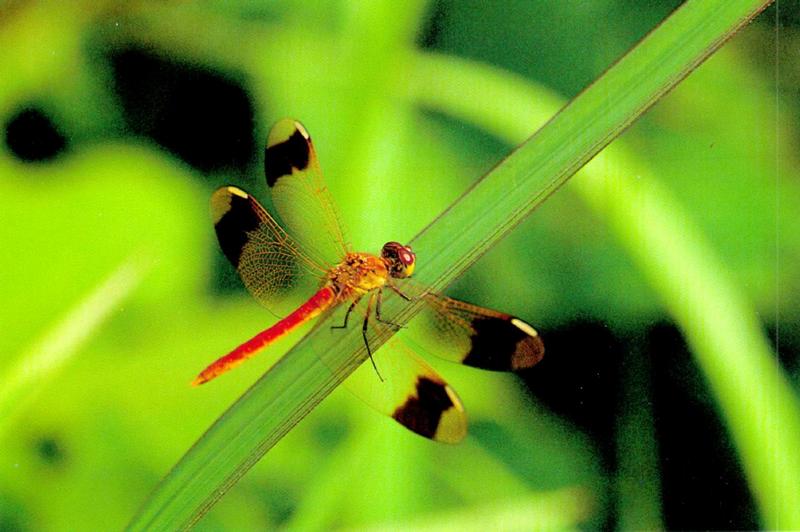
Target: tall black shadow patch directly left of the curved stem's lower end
(703,485)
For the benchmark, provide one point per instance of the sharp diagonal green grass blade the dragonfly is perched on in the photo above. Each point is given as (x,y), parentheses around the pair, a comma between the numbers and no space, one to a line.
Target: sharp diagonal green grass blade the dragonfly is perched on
(491,208)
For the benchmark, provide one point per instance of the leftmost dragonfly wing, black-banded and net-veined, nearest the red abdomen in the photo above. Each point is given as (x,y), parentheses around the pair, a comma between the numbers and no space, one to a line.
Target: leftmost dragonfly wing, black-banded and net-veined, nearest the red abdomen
(268,260)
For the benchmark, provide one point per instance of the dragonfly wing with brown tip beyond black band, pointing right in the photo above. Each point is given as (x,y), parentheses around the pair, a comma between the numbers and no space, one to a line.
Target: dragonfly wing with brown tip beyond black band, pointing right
(475,336)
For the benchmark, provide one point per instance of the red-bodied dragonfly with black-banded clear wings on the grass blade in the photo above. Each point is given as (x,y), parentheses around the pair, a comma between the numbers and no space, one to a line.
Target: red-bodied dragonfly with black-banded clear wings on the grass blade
(270,260)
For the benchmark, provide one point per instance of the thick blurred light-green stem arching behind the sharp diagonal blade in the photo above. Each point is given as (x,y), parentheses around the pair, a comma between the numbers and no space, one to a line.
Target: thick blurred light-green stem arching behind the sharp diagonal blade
(755,397)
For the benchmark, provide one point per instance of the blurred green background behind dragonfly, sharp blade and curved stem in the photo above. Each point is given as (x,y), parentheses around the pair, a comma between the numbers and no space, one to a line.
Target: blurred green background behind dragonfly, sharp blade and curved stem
(119,119)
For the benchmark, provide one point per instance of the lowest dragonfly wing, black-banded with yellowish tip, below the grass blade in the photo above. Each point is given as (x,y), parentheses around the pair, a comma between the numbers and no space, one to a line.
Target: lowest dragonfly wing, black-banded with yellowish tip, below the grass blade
(411,392)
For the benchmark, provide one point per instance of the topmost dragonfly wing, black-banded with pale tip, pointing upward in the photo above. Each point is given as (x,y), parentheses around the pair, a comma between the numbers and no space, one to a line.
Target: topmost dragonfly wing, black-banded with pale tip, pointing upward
(299,193)
